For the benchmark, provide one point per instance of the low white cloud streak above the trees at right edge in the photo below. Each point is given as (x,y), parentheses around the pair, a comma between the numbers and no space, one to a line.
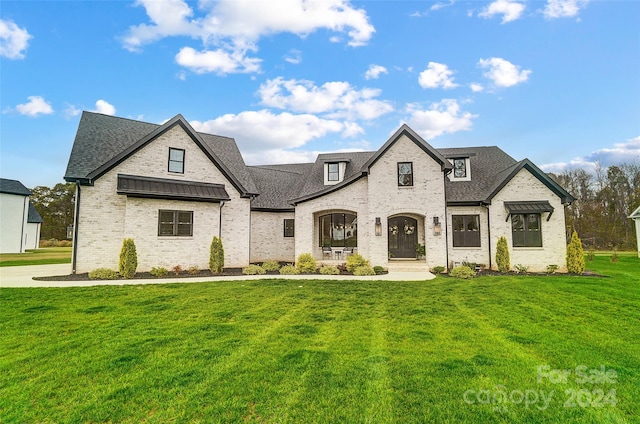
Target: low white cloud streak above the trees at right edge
(626,152)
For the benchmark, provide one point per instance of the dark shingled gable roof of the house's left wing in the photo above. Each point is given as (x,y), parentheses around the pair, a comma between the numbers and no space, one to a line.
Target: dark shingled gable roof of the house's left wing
(103,141)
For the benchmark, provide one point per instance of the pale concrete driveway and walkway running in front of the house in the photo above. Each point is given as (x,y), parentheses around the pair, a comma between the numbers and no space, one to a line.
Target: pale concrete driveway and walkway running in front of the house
(22,276)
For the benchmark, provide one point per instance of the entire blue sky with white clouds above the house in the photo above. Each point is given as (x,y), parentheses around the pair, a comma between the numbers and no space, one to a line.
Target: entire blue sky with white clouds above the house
(554,81)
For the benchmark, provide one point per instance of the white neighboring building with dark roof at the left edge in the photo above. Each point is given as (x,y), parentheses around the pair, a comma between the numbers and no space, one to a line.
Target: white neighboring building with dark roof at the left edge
(20,222)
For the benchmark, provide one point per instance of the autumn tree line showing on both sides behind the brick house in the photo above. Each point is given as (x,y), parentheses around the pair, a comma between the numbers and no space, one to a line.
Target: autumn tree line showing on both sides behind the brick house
(604,200)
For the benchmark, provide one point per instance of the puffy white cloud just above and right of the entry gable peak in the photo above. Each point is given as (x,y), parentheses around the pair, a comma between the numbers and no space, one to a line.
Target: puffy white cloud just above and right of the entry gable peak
(442,117)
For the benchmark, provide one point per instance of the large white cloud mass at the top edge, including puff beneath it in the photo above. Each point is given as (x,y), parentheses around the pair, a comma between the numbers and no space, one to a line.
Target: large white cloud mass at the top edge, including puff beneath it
(234,28)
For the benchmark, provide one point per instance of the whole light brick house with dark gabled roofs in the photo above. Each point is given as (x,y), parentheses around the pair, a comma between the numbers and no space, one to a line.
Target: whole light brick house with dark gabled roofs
(172,189)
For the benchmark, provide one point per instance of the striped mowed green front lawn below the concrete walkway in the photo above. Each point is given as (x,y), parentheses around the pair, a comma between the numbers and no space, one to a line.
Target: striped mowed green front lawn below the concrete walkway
(291,351)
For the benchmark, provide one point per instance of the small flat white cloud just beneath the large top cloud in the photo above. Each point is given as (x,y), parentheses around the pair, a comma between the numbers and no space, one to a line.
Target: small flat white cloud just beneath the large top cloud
(218,61)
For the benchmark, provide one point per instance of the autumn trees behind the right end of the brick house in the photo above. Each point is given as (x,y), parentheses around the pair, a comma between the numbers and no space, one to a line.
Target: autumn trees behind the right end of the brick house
(604,200)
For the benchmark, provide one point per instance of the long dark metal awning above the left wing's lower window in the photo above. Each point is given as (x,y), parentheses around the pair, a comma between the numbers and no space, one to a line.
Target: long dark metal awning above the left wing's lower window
(163,188)
